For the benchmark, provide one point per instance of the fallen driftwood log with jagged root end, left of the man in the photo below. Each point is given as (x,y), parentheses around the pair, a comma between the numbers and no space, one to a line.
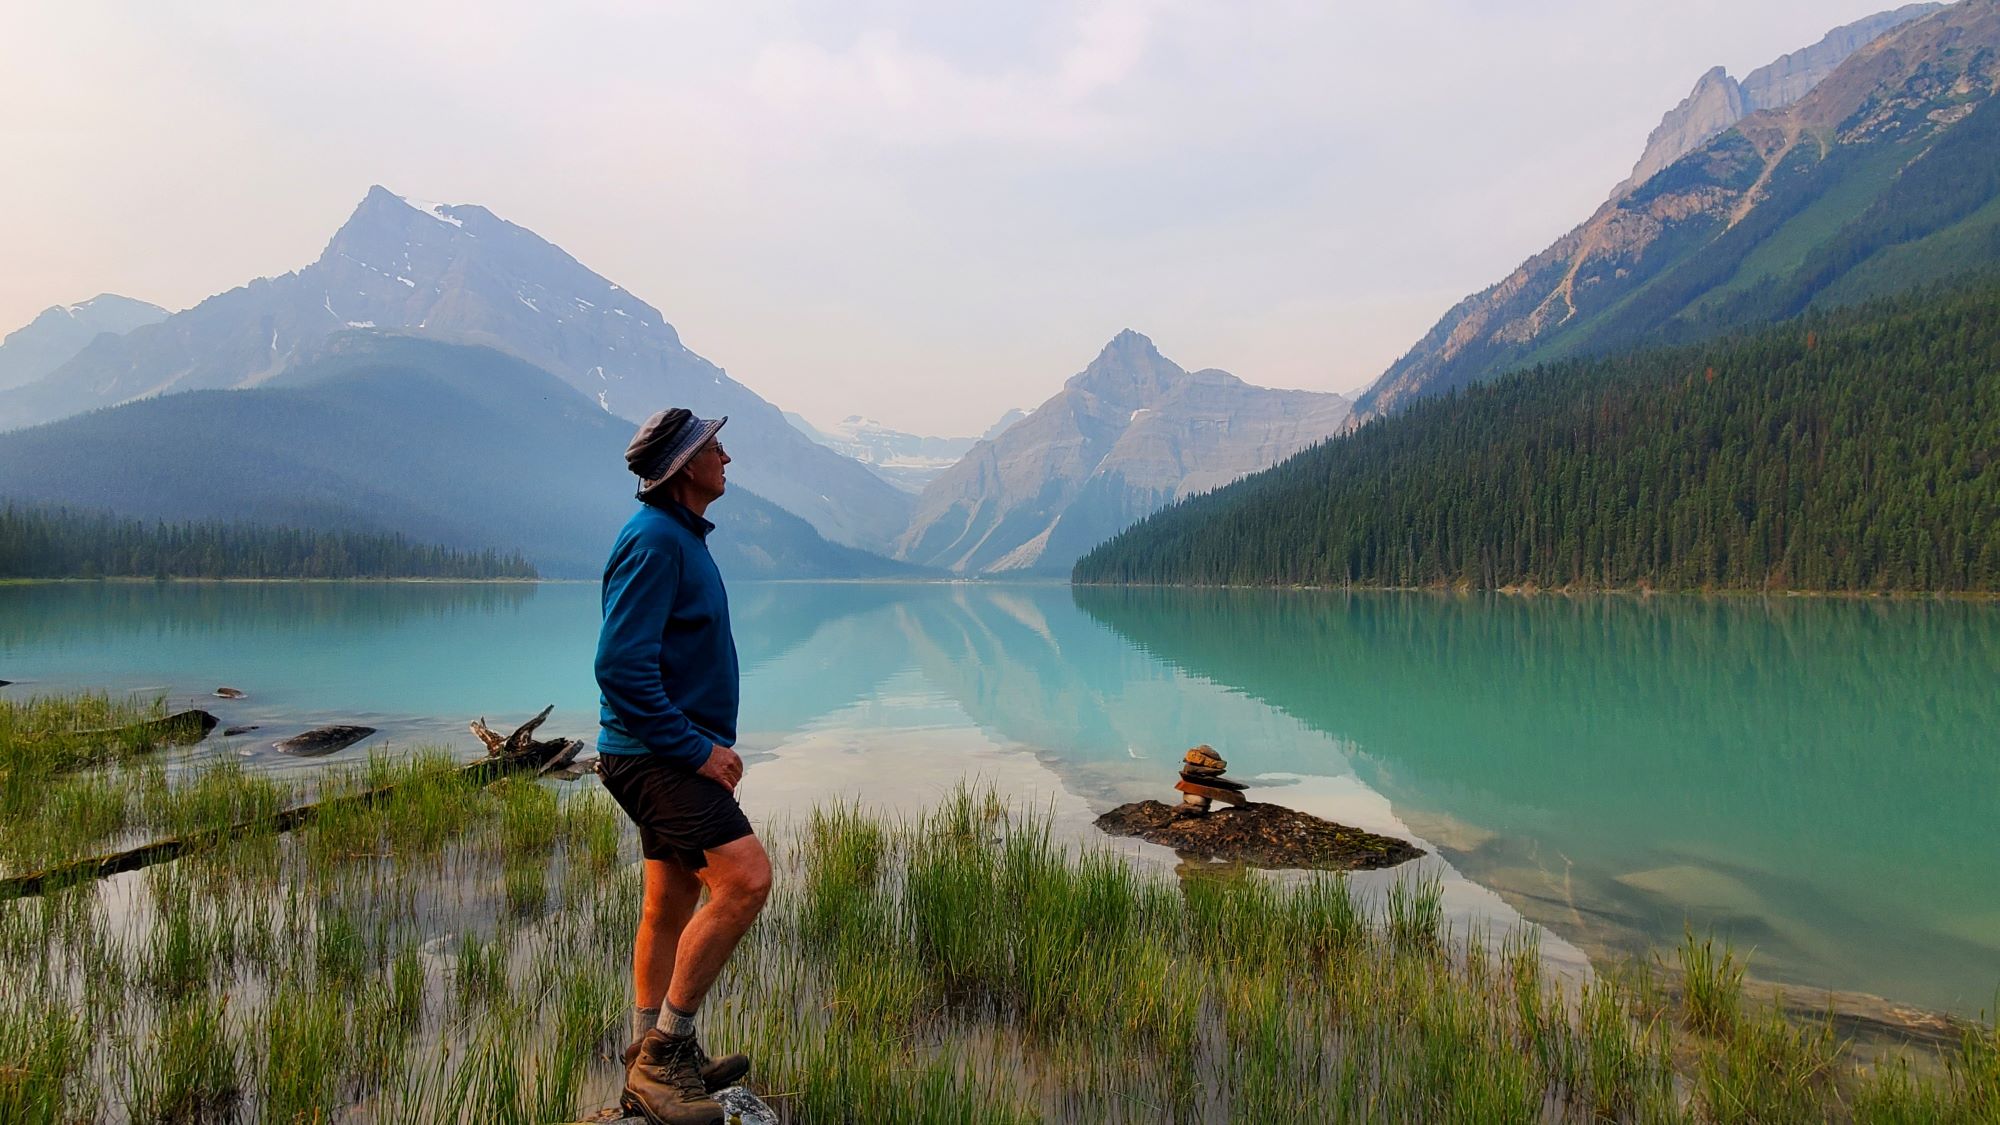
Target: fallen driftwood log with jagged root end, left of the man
(505,756)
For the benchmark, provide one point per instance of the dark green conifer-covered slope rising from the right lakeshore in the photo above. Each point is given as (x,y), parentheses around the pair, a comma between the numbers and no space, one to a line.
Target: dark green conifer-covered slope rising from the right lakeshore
(1841,451)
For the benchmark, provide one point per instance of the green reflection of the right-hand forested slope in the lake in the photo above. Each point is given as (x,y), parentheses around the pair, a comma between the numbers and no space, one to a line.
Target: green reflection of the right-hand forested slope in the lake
(1811,778)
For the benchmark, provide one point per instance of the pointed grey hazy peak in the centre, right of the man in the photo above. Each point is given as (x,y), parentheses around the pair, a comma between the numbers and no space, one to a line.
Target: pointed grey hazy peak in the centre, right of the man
(1127,435)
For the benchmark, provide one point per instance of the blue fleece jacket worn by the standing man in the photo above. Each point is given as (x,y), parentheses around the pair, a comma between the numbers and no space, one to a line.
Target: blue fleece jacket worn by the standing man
(667,660)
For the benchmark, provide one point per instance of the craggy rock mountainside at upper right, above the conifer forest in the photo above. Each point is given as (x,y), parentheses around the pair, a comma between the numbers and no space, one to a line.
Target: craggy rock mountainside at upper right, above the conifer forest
(1877,175)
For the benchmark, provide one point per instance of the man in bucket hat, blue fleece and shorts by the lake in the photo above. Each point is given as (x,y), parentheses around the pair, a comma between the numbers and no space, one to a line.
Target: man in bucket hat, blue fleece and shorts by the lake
(667,668)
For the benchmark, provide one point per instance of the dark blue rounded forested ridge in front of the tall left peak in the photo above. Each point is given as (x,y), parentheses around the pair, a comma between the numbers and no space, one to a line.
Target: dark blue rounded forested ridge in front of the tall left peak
(447,443)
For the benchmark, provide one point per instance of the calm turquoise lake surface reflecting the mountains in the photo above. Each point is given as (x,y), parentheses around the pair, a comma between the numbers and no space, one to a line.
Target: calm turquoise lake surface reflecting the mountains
(1815,780)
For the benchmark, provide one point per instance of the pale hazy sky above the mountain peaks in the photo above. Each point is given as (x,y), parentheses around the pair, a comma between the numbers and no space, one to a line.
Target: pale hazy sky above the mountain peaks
(917,211)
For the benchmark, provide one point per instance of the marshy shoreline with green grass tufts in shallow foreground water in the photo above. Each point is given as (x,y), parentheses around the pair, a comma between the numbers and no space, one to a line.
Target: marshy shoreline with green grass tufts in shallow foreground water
(459,954)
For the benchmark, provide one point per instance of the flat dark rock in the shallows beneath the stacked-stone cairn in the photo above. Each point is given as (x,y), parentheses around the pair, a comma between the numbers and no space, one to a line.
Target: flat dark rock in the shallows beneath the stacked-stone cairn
(1261,836)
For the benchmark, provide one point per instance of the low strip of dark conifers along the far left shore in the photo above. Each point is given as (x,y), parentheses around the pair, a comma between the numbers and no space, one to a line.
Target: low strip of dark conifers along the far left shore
(59,543)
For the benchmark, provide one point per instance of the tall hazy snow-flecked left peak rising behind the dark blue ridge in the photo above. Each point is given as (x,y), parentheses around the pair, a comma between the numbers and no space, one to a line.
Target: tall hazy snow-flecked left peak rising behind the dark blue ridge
(461,273)
